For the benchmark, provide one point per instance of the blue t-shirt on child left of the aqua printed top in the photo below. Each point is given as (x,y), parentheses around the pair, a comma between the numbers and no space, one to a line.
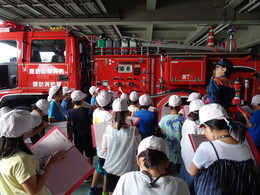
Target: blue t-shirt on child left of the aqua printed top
(148,121)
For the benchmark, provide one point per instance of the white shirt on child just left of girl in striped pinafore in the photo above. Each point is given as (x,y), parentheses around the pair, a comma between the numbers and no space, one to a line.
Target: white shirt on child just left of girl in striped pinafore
(187,152)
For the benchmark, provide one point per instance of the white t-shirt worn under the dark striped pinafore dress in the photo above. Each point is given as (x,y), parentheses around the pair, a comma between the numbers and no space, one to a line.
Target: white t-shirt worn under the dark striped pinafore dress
(205,154)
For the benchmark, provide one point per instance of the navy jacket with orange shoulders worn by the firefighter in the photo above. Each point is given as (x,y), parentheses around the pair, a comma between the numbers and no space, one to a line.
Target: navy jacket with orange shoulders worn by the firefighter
(220,90)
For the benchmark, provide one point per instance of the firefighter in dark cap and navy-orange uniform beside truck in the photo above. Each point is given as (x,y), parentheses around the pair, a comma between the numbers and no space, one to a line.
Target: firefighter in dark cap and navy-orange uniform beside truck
(220,89)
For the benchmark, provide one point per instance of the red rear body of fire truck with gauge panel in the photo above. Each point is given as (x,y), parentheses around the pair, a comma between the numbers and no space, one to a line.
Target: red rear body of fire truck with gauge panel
(173,73)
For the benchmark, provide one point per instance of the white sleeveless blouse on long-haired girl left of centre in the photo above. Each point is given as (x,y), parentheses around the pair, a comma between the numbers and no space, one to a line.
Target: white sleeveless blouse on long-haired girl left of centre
(121,150)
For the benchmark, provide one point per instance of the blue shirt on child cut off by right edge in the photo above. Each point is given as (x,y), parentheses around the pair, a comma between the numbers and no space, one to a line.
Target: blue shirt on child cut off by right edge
(255,130)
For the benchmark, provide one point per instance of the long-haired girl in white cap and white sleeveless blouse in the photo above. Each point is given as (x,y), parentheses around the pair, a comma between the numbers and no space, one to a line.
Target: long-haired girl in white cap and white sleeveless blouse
(120,141)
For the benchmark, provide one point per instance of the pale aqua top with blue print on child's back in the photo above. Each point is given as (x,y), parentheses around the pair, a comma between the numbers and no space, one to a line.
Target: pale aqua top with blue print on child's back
(171,126)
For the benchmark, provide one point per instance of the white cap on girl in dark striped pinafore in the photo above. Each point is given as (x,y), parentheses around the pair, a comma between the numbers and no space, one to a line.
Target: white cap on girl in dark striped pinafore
(212,111)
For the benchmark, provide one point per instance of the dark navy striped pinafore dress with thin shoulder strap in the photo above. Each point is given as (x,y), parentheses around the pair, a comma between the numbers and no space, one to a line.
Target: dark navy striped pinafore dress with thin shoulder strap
(228,177)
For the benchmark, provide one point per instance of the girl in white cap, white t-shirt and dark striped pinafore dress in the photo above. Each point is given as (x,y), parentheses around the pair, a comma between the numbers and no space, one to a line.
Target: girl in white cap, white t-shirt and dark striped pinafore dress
(223,164)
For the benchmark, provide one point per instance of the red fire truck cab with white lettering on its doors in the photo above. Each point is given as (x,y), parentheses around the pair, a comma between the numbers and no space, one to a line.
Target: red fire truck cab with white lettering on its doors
(33,60)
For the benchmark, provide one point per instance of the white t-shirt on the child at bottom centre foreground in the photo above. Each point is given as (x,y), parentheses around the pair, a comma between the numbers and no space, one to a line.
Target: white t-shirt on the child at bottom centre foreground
(137,183)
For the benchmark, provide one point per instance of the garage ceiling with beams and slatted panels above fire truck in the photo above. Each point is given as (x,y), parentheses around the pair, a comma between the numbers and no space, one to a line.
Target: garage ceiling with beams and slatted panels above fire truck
(169,21)
